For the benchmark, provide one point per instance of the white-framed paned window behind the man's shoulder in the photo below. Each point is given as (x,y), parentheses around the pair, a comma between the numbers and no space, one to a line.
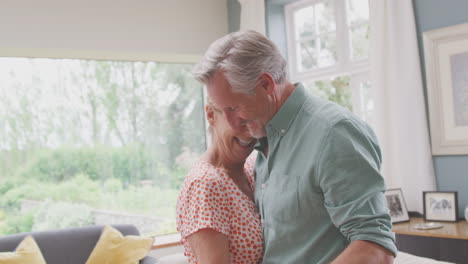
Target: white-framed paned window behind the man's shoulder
(328,46)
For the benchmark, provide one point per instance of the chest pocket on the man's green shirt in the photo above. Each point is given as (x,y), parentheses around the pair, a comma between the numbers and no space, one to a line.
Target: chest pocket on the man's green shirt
(282,198)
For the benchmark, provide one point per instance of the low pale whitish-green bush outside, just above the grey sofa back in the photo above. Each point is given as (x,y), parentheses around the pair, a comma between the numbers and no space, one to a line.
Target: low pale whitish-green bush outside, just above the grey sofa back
(55,215)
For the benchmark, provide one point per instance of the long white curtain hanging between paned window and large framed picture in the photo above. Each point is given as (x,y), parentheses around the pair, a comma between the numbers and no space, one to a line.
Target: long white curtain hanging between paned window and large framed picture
(400,117)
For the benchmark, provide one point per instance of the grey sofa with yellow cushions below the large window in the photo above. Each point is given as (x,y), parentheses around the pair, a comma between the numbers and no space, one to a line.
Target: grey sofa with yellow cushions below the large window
(68,246)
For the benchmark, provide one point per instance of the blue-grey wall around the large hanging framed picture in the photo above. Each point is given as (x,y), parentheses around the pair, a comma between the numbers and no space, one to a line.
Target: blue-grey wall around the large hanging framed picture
(451,171)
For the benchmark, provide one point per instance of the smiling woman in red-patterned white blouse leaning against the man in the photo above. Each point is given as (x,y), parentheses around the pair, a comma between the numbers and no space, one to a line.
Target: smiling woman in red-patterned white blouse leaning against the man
(216,213)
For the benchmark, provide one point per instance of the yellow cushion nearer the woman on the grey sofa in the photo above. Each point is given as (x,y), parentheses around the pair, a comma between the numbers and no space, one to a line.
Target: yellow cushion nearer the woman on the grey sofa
(113,248)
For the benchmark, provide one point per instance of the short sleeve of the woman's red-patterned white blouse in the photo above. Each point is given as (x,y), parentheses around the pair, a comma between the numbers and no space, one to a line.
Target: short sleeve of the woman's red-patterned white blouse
(203,203)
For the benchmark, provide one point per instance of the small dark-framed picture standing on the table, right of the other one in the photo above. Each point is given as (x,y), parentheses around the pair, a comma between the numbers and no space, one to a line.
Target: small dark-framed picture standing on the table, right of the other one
(440,206)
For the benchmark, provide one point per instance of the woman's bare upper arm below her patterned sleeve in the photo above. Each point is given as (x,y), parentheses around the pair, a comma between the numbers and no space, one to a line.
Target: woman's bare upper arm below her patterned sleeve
(209,246)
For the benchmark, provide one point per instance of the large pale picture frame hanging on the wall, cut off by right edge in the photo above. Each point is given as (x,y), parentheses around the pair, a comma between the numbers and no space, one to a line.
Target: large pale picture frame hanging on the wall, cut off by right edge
(446,62)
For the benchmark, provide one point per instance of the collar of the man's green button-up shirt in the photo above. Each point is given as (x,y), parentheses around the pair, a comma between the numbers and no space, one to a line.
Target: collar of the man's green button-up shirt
(283,119)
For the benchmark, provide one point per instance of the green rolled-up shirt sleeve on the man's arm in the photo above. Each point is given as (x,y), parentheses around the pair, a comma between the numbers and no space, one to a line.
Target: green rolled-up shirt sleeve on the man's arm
(352,185)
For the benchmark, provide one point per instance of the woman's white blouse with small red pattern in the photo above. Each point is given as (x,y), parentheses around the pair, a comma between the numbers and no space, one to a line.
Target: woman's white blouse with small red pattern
(209,198)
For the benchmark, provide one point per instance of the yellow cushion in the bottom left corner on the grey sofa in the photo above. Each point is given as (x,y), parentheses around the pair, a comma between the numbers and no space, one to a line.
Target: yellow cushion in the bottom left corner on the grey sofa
(26,252)
